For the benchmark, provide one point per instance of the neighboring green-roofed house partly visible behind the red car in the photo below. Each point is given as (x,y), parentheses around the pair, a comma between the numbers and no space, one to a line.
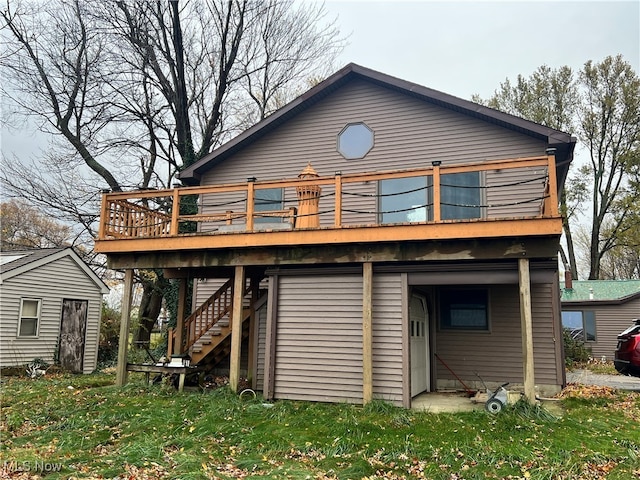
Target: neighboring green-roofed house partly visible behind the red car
(597,311)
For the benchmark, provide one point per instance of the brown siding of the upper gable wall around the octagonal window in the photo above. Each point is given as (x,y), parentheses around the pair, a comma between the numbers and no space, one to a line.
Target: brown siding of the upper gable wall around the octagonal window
(408,134)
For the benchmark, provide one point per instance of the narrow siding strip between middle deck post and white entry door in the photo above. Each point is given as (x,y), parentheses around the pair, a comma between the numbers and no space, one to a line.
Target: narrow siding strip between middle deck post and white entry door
(387,337)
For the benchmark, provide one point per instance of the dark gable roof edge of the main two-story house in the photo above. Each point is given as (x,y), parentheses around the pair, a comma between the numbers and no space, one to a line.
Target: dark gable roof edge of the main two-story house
(562,142)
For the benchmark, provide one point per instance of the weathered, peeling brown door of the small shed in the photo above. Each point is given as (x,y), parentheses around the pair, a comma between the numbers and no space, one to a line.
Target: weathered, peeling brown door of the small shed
(73,327)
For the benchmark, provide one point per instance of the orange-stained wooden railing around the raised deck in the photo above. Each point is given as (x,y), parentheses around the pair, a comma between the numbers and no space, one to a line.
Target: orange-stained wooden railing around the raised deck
(231,208)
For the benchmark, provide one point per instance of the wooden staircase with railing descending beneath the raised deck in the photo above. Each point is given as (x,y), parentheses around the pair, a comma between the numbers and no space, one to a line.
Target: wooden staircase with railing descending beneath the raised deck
(207,331)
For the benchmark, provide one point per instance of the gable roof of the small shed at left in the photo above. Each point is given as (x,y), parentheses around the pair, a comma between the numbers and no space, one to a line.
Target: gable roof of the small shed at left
(14,263)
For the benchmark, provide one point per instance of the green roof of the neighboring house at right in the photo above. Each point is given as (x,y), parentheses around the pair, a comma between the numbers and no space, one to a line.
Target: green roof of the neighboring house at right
(603,291)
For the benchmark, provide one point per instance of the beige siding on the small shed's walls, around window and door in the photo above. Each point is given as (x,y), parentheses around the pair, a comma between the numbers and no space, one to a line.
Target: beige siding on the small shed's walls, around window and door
(51,283)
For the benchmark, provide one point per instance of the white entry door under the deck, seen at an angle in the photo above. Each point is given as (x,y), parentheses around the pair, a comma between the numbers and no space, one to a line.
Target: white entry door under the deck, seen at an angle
(419,331)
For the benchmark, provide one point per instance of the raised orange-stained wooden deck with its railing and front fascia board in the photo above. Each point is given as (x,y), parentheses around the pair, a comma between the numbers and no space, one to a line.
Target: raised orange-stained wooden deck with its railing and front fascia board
(151,220)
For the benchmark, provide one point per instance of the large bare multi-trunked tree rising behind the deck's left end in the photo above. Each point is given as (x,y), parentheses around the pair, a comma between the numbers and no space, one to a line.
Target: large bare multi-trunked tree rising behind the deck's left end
(137,90)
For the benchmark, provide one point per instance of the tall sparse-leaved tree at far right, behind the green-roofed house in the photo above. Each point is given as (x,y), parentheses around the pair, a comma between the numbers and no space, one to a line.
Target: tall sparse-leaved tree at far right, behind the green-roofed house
(610,126)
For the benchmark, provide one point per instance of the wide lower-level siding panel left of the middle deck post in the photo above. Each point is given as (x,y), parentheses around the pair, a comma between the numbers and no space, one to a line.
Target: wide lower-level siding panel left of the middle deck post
(319,338)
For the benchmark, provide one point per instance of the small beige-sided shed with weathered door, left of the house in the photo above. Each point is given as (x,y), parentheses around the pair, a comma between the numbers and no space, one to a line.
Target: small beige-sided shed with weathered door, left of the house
(50,308)
